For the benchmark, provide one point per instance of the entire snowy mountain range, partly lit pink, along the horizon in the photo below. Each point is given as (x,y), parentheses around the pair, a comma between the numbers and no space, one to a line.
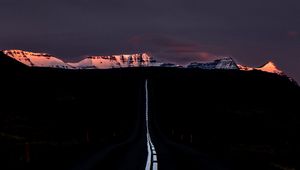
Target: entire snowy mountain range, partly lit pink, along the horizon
(33,59)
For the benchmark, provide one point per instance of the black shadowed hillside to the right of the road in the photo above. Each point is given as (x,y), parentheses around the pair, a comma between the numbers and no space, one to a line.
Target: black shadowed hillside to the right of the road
(248,119)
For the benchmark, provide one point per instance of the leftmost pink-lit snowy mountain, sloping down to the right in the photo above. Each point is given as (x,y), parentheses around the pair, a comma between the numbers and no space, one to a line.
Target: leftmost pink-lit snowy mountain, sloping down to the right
(36,59)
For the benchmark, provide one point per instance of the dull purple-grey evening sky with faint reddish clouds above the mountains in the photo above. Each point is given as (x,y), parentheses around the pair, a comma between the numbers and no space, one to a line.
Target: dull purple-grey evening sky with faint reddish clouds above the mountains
(251,31)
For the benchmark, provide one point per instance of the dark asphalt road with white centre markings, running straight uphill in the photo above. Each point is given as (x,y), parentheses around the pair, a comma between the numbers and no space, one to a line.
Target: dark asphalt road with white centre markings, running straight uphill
(147,149)
